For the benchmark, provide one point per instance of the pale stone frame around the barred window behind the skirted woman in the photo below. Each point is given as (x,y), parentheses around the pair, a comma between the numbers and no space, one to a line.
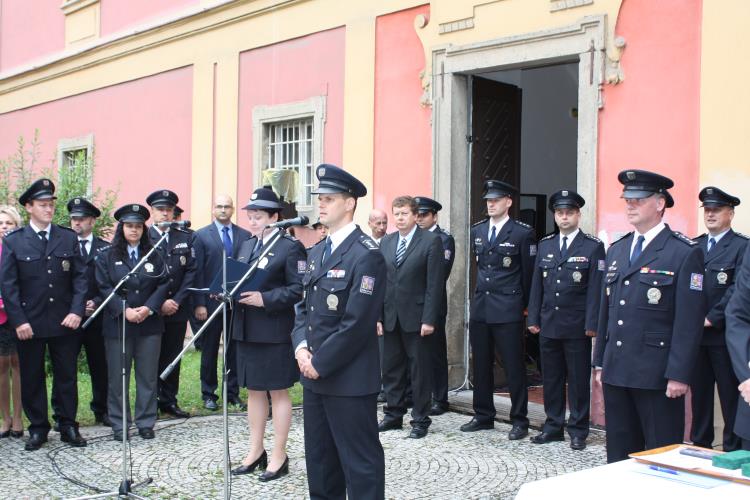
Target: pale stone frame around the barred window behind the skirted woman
(263,116)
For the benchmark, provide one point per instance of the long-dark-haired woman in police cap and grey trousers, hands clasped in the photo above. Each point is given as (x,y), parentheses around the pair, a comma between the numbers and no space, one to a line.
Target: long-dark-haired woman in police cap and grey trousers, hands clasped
(145,294)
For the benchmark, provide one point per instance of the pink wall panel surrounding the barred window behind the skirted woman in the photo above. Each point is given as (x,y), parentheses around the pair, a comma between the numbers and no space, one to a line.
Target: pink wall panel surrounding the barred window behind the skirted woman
(287,72)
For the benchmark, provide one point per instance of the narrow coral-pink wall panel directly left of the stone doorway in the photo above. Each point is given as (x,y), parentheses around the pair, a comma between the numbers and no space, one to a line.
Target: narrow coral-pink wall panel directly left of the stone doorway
(403,133)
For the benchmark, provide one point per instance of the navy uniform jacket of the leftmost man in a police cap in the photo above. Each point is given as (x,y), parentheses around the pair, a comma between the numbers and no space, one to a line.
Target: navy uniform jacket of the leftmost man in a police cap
(41,286)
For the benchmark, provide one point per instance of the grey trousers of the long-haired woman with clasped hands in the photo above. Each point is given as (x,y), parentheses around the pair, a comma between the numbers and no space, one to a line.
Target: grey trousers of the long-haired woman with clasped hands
(143,352)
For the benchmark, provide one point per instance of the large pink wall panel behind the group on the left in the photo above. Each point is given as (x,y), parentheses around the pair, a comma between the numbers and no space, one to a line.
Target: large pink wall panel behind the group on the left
(142,133)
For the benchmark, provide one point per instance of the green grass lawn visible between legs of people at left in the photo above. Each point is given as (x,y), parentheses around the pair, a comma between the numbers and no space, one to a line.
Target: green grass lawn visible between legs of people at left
(189,397)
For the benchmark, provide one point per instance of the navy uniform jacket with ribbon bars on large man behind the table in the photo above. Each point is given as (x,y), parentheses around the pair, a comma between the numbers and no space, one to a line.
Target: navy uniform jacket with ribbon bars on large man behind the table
(652,312)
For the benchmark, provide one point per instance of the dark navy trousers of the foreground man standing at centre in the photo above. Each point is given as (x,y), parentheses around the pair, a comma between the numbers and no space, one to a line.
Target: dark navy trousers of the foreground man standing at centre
(343,453)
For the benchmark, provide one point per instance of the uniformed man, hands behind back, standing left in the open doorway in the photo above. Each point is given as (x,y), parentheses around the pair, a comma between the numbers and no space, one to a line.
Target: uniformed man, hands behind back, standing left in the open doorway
(505,250)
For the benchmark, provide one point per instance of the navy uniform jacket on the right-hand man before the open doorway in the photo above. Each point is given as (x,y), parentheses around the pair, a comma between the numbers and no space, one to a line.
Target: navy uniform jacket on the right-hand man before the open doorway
(565,291)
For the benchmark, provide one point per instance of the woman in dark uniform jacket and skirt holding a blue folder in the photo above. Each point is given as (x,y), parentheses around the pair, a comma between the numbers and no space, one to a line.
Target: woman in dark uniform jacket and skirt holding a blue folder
(263,324)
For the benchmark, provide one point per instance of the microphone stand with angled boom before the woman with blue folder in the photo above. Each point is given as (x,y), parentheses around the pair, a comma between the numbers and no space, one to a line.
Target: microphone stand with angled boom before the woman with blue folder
(226,298)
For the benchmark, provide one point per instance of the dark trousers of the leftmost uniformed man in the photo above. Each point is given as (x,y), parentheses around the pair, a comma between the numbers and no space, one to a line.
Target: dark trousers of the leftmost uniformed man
(63,351)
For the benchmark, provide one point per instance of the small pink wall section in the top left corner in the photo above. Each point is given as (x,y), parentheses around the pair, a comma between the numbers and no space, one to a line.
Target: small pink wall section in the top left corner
(29,33)
